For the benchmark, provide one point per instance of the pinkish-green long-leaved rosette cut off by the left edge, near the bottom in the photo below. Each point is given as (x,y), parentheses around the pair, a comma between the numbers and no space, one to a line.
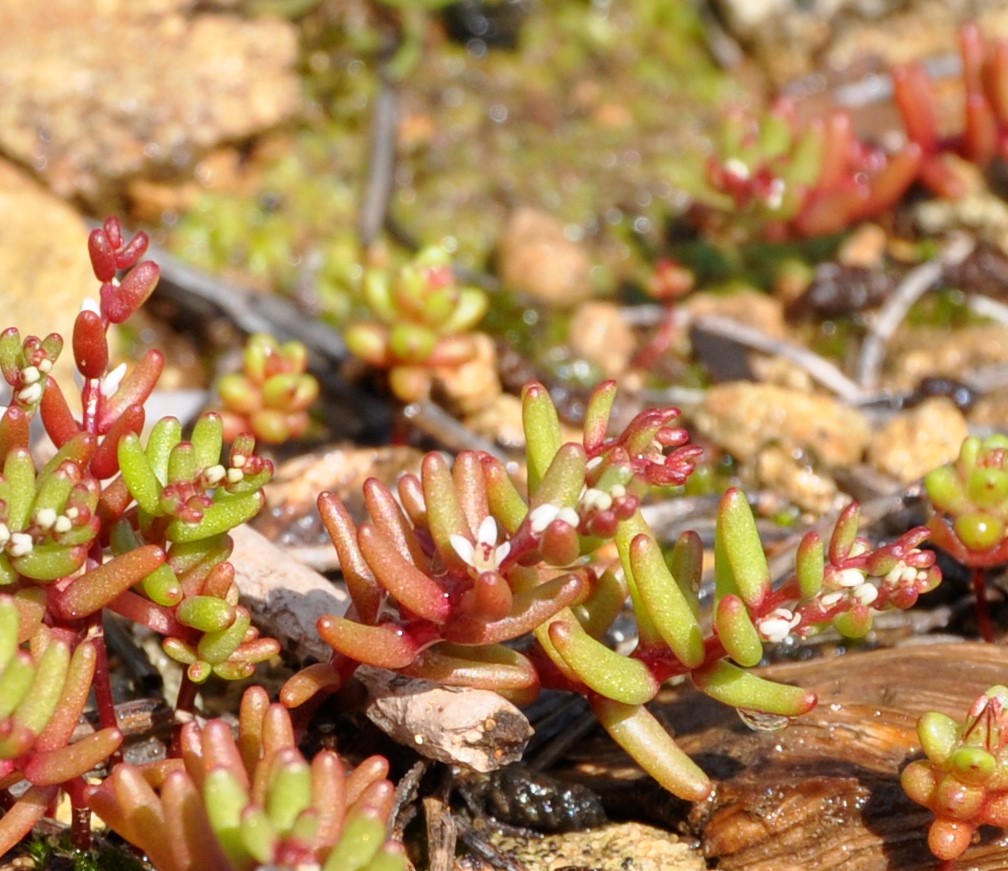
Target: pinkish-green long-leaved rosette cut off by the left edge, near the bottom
(46,678)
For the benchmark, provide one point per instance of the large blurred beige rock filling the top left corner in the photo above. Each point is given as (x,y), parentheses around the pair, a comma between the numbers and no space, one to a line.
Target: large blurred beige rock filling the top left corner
(93,94)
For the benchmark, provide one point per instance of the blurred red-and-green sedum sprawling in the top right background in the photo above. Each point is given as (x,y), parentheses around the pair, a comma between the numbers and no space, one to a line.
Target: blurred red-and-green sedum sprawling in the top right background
(776,178)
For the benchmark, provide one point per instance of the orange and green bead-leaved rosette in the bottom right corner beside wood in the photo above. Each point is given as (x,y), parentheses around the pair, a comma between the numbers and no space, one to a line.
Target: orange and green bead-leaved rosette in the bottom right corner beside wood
(964,780)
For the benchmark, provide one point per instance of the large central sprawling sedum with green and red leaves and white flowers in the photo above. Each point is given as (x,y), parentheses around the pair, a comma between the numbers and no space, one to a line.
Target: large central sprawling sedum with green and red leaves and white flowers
(465,563)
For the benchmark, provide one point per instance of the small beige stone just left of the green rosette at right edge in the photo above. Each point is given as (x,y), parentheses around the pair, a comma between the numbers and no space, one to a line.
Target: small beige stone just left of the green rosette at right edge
(920,440)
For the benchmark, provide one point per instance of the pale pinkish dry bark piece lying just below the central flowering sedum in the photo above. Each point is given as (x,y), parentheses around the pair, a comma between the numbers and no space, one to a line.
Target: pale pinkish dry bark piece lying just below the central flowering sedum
(461,726)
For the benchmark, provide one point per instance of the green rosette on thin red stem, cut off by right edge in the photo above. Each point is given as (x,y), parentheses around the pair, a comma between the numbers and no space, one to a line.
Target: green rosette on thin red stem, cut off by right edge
(969,512)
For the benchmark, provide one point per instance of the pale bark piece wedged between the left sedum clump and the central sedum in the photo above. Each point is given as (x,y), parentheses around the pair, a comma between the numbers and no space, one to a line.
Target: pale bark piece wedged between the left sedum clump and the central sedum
(286,597)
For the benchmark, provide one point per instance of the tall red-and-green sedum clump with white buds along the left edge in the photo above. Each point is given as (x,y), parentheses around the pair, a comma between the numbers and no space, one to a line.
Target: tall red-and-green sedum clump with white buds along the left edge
(114,521)
